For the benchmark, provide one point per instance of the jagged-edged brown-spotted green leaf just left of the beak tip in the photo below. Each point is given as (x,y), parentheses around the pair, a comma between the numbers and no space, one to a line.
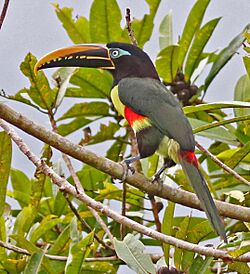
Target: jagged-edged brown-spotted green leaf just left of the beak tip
(40,91)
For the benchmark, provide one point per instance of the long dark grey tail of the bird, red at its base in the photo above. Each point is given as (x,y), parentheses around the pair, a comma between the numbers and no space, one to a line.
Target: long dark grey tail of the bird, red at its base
(199,184)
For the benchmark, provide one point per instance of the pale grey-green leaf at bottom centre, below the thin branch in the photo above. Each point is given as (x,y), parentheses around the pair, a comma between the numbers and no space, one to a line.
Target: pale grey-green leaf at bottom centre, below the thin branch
(130,250)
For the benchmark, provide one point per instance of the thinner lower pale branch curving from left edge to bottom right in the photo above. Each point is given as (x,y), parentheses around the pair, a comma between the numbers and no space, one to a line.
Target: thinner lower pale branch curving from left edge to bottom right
(65,186)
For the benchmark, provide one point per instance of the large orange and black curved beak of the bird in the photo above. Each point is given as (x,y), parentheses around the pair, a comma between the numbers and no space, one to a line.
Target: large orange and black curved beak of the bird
(91,56)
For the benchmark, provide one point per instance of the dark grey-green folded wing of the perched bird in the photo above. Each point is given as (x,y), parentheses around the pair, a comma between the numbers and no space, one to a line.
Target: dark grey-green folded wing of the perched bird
(151,98)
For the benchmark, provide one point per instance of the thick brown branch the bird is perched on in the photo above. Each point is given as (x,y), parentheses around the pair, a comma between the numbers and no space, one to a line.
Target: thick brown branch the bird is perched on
(114,169)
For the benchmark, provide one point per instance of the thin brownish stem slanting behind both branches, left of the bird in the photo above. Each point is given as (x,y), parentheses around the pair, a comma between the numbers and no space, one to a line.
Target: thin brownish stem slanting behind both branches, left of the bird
(78,185)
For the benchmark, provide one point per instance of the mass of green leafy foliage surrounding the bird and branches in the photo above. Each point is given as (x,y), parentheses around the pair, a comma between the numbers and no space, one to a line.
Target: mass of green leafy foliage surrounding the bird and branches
(44,223)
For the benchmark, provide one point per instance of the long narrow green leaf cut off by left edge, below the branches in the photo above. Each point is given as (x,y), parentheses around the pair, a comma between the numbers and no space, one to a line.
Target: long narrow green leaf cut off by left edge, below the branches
(5,163)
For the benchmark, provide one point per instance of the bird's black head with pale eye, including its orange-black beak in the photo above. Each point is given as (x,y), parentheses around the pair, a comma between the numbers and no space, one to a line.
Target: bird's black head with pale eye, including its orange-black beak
(121,59)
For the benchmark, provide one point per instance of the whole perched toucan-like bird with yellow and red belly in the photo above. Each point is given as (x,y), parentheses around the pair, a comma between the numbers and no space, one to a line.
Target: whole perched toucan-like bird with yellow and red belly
(149,107)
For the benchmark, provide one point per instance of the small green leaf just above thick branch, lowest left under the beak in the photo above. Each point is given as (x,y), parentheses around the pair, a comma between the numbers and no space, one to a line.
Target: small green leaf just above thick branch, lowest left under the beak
(77,123)
